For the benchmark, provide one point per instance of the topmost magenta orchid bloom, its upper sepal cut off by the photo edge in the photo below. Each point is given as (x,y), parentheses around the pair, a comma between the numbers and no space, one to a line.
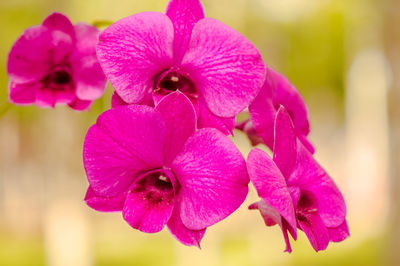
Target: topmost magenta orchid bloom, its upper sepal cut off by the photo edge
(155,54)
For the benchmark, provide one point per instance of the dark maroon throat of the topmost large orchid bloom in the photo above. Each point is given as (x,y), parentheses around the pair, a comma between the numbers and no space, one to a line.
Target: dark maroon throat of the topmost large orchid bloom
(171,80)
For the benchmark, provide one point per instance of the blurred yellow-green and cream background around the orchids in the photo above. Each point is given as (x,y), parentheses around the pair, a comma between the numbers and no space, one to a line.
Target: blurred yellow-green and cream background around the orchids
(343,56)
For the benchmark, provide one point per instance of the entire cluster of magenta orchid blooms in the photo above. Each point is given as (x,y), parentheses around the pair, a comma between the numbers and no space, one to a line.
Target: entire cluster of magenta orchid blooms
(161,155)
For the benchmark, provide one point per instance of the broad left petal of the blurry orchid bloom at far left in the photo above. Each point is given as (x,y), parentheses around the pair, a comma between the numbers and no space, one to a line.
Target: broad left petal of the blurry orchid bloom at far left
(40,47)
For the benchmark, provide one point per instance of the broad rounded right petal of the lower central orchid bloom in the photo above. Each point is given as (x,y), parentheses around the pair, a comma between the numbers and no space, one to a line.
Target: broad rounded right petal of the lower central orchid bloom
(213,178)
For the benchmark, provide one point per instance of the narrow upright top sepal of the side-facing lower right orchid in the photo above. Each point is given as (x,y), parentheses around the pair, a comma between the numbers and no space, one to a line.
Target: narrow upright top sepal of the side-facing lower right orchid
(285,142)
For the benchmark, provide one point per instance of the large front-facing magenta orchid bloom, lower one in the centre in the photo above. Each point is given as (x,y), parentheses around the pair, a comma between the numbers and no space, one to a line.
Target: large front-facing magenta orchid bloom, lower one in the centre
(153,165)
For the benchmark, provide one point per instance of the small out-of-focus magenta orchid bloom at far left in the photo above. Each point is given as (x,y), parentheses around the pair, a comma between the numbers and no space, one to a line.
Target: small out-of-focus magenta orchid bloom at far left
(56,63)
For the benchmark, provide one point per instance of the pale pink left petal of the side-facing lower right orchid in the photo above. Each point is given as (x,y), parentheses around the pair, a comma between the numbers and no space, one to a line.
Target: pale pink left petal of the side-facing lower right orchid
(270,184)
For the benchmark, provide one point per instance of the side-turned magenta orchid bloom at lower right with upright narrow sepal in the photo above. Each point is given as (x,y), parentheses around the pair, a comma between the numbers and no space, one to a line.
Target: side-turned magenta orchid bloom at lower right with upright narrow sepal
(295,191)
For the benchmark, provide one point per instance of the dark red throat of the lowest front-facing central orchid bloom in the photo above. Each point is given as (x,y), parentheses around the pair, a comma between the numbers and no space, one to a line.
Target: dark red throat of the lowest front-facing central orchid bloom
(156,187)
